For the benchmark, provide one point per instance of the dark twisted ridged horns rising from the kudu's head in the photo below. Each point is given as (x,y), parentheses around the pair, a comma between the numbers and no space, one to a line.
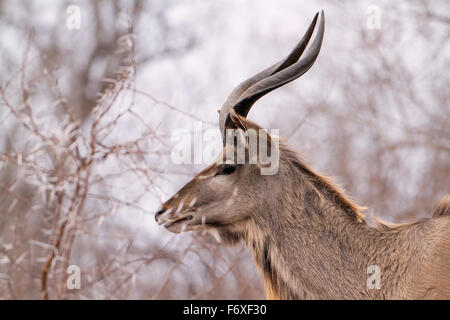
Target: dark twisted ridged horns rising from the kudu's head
(290,68)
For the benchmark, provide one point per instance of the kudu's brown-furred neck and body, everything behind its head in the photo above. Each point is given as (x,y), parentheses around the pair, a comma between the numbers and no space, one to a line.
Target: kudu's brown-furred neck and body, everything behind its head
(316,245)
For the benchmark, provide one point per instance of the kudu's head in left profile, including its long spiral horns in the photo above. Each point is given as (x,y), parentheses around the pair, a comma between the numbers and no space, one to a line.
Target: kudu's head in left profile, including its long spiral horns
(227,193)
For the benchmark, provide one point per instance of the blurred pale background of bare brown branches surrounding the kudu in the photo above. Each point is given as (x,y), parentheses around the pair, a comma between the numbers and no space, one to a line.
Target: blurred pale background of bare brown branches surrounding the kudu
(92,91)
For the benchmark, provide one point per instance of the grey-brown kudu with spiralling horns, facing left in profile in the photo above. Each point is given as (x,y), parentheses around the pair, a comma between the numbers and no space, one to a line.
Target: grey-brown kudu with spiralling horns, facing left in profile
(308,238)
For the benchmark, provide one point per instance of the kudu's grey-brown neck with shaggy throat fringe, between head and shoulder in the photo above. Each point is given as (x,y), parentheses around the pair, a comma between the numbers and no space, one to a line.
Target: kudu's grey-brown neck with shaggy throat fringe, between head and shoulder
(311,240)
